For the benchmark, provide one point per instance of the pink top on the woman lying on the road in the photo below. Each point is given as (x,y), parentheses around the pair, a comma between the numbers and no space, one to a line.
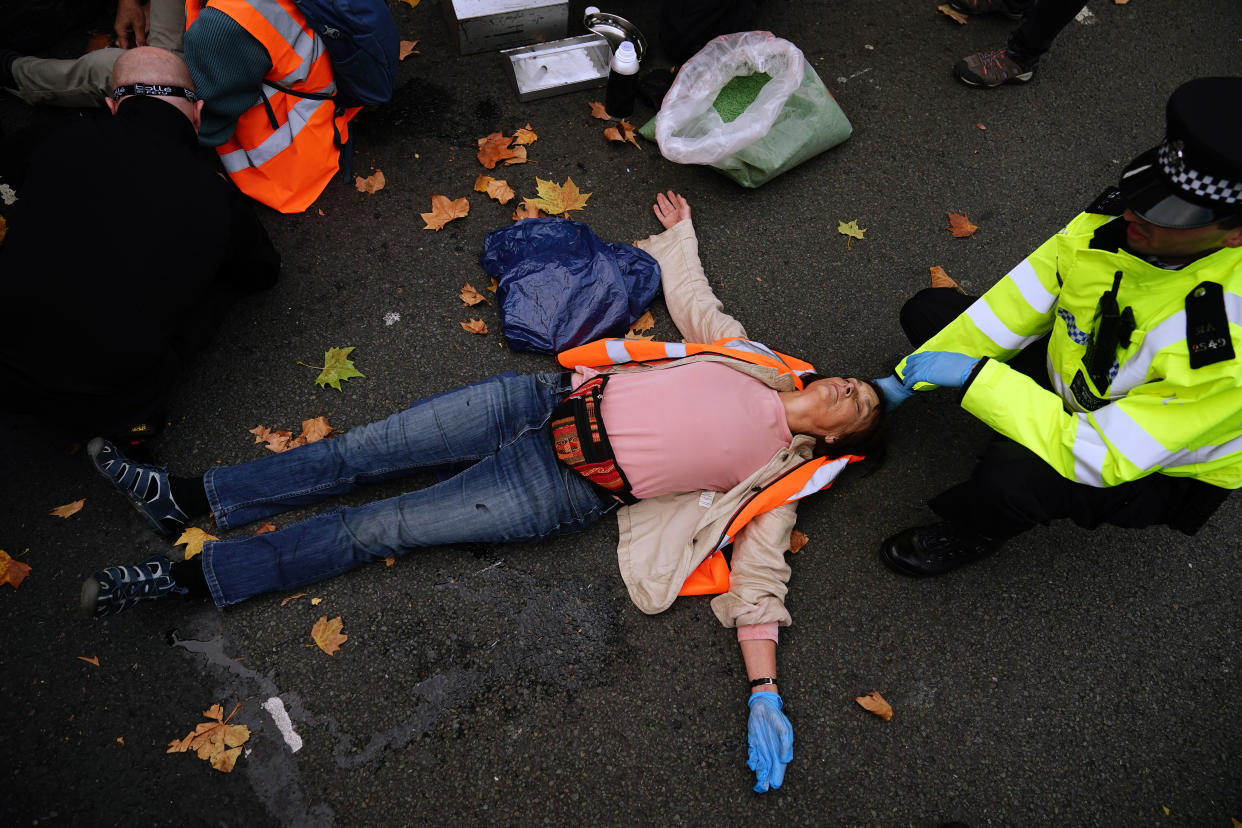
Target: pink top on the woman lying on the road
(692,428)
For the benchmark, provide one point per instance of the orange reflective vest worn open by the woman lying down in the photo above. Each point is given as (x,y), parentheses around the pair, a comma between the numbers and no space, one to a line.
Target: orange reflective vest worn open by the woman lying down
(712,575)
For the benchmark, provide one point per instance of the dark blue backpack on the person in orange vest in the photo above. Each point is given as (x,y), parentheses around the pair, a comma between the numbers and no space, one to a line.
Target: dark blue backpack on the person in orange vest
(363,47)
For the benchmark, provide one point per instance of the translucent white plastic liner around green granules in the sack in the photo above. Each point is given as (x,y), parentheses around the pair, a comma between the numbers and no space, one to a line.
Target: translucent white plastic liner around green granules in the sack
(689,128)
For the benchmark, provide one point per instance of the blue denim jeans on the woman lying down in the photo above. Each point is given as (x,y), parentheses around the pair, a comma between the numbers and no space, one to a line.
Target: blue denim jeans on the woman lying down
(512,488)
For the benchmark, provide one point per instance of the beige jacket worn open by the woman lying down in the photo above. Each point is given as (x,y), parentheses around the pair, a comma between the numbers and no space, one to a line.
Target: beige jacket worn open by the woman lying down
(664,539)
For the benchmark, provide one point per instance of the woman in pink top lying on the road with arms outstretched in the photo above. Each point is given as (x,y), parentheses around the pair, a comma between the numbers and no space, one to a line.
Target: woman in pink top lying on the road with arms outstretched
(717,444)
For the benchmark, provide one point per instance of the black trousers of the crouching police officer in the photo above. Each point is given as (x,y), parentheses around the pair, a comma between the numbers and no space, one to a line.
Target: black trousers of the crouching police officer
(1012,490)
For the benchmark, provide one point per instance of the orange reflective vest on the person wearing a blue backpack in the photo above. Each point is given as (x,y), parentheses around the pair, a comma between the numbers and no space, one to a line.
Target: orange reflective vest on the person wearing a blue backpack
(285,148)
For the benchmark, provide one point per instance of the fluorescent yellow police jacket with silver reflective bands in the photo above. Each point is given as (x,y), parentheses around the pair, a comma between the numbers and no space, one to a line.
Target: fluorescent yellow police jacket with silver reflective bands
(1157,414)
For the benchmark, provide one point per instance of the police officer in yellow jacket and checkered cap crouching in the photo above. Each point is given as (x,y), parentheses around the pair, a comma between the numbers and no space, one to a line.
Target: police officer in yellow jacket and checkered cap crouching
(1107,362)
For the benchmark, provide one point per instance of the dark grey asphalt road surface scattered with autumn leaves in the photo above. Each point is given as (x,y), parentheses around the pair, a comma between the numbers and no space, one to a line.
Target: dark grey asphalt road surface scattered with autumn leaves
(1075,680)
